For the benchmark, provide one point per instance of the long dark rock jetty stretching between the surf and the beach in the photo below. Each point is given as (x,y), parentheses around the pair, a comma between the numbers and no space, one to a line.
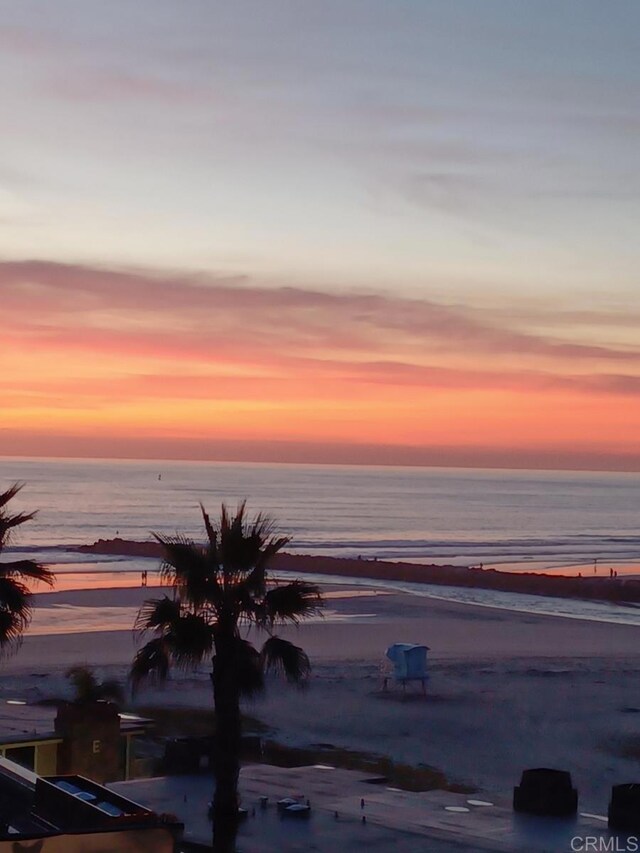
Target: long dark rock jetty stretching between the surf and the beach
(618,590)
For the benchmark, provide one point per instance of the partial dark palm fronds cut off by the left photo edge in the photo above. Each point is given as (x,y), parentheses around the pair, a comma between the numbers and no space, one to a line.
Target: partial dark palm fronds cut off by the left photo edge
(16,577)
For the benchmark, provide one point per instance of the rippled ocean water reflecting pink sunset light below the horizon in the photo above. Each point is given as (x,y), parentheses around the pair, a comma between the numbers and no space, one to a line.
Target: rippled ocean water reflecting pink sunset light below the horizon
(516,520)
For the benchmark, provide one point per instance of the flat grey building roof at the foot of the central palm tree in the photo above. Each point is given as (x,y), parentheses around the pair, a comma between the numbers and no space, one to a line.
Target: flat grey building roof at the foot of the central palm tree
(402,821)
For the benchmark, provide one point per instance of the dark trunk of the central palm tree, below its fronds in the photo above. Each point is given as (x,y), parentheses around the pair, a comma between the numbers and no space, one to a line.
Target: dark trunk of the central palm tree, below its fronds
(226,696)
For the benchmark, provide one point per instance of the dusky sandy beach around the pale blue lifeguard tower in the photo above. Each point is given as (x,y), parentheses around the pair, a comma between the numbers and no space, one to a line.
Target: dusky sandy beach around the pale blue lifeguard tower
(507,690)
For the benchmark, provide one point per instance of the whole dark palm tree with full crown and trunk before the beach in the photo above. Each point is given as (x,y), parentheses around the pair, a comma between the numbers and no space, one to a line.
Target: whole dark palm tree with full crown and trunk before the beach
(220,588)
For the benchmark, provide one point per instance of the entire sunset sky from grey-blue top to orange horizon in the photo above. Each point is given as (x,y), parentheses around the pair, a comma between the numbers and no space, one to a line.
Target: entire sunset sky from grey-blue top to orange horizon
(356,231)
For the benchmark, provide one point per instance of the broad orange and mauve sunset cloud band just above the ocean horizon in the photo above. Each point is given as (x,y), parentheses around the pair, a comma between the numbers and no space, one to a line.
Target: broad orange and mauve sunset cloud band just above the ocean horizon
(126,361)
